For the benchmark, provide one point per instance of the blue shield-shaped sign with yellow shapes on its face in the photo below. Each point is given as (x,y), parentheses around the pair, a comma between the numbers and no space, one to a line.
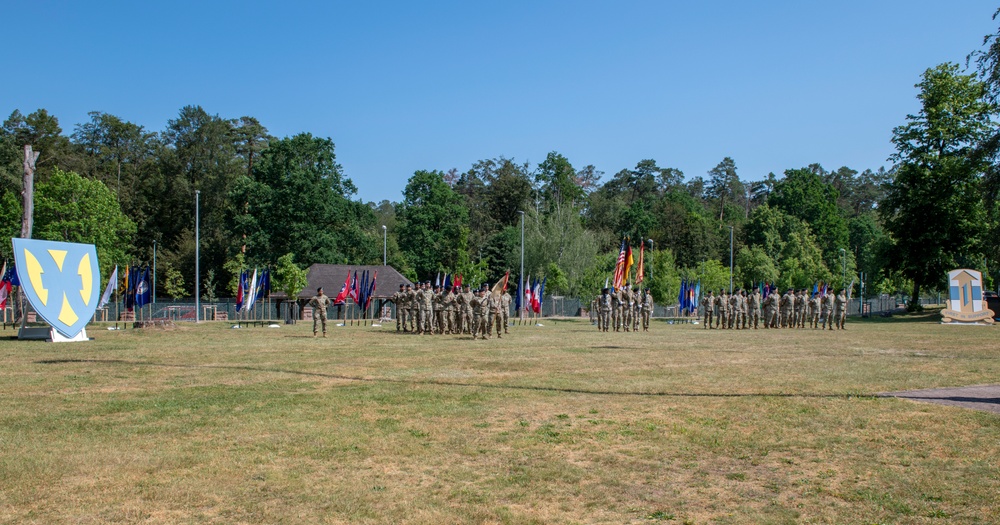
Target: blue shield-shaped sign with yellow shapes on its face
(60,280)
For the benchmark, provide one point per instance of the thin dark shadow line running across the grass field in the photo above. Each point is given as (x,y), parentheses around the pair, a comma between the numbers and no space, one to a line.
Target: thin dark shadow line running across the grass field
(853,395)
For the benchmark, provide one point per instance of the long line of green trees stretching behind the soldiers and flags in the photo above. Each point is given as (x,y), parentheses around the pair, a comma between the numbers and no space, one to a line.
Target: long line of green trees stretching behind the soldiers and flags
(116,184)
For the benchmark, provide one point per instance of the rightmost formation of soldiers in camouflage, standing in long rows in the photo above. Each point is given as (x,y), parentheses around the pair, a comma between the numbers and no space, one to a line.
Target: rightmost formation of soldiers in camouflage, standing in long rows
(793,309)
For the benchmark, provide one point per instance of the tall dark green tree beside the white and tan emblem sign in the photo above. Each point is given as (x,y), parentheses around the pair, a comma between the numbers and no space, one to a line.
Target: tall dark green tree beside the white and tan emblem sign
(934,208)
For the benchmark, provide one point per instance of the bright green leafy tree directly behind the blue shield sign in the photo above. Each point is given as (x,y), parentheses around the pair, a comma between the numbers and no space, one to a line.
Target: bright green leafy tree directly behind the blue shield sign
(73,209)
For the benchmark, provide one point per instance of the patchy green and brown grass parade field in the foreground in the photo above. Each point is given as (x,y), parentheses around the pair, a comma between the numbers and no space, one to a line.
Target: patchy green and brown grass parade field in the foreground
(552,424)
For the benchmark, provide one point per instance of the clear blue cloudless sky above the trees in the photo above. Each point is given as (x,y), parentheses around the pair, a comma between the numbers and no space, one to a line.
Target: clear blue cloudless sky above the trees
(403,86)
